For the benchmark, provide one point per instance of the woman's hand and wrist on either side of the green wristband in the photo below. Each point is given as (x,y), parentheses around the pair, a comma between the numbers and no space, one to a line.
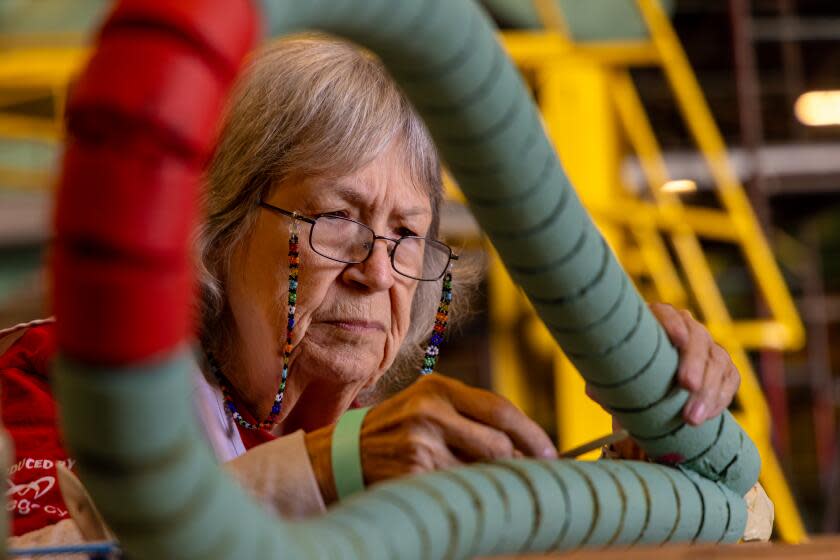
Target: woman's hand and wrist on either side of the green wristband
(436,423)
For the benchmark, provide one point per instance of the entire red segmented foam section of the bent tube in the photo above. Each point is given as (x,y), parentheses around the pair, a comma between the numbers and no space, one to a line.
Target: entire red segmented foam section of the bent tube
(141,124)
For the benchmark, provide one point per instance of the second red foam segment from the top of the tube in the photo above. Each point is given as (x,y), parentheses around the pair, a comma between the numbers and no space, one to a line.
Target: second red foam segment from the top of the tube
(163,87)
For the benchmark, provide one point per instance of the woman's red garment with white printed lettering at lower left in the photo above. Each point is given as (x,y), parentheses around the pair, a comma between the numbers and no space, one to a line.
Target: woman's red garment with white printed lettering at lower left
(29,415)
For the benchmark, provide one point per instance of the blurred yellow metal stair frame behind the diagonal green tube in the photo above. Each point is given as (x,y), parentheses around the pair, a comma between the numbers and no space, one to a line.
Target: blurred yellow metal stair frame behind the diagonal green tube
(594,115)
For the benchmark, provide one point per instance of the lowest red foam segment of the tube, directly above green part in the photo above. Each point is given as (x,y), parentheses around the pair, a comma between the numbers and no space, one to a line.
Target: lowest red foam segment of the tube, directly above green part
(116,312)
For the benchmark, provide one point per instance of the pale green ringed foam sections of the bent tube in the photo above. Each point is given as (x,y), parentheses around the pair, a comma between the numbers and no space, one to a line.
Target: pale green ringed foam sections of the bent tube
(141,455)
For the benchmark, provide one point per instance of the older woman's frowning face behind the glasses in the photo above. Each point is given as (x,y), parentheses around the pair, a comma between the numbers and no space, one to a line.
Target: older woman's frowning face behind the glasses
(351,318)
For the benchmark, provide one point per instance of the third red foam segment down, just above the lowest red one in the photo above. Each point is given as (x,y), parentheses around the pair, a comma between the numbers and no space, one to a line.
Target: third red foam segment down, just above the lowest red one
(142,206)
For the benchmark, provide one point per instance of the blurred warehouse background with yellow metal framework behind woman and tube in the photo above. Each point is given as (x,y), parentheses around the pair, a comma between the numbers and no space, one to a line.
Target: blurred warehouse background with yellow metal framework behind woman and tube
(704,135)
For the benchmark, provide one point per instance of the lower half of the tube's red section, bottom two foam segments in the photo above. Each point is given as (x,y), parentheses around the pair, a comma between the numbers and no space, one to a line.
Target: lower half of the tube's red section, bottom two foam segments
(122,252)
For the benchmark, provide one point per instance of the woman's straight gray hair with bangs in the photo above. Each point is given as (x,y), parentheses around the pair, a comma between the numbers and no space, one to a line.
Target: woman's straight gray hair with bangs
(307,106)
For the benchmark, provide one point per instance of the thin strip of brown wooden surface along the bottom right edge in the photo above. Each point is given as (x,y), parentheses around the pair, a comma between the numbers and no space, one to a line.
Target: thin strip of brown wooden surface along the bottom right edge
(819,548)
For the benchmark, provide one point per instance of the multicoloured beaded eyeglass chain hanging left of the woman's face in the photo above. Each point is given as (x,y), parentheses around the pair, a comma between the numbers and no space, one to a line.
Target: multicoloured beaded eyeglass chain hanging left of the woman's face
(230,406)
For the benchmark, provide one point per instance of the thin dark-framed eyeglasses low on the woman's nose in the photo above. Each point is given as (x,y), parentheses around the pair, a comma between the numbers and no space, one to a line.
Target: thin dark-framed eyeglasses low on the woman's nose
(348,241)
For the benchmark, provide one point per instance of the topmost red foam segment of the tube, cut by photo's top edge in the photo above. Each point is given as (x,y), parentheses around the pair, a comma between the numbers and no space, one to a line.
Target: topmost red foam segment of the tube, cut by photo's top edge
(224,30)
